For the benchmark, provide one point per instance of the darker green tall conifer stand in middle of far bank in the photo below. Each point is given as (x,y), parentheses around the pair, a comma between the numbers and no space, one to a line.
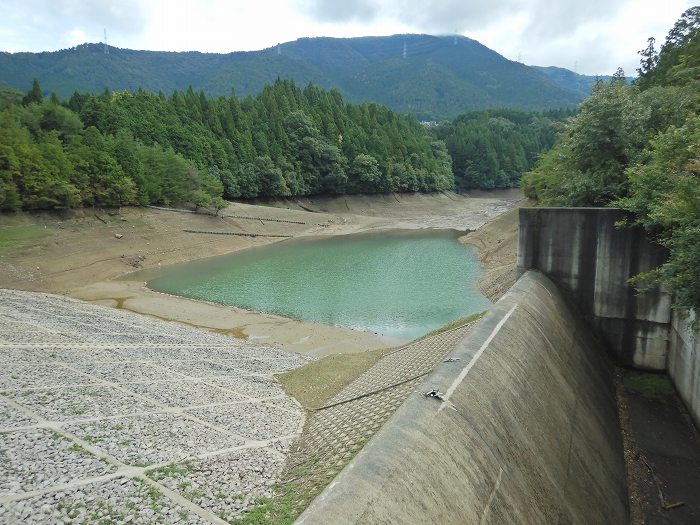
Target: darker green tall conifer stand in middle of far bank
(283,142)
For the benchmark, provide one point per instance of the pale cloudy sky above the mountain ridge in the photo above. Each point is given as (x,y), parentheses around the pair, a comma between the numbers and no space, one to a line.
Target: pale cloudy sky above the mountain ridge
(590,36)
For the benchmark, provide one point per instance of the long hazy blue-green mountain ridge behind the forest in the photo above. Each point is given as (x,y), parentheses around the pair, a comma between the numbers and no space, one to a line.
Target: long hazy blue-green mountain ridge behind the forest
(430,76)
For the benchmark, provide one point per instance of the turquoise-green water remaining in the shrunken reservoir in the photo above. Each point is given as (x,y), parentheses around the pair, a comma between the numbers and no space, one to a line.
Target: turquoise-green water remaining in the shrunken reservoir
(400,284)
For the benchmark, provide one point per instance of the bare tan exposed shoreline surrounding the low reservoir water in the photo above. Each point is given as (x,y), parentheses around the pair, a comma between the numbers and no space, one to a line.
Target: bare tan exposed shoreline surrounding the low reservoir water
(82,257)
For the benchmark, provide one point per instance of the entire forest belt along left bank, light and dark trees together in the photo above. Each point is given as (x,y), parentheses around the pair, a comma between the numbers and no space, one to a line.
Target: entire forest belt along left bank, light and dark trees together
(139,148)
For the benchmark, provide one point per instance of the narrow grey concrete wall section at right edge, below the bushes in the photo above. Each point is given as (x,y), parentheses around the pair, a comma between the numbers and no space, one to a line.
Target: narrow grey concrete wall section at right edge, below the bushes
(684,363)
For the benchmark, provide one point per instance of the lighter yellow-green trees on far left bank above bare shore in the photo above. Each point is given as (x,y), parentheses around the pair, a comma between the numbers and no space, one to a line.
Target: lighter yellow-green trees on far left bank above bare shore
(49,159)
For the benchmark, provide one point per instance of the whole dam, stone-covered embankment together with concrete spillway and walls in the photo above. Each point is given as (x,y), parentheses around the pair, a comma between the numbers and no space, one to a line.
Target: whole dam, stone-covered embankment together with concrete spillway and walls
(510,419)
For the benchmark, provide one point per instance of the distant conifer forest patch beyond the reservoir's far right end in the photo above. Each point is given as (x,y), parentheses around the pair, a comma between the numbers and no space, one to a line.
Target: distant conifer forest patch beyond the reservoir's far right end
(493,148)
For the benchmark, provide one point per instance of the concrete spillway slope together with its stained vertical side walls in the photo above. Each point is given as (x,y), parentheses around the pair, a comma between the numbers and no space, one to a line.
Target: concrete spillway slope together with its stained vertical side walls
(520,424)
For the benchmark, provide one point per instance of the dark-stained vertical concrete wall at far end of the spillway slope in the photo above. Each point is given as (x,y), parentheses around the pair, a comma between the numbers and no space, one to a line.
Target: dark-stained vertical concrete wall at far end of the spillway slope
(591,260)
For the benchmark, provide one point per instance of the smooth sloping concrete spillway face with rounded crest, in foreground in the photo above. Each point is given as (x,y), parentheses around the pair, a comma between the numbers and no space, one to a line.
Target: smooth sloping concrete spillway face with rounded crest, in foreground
(527,431)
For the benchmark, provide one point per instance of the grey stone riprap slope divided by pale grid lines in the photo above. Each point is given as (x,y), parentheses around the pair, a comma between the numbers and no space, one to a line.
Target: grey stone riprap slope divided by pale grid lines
(111,417)
